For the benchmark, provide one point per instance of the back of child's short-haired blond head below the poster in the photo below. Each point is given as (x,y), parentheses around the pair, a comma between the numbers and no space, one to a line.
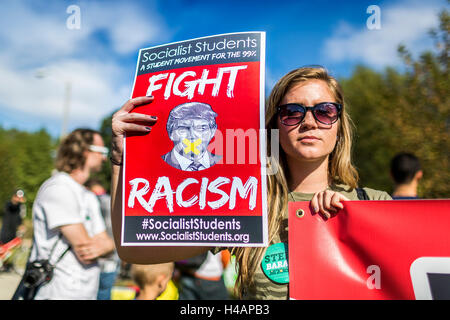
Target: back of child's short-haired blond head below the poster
(151,279)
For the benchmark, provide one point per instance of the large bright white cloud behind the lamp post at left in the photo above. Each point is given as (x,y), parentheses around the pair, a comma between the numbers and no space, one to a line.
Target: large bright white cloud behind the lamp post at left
(94,92)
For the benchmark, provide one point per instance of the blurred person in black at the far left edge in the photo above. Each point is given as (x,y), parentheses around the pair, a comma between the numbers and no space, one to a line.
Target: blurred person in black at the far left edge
(13,214)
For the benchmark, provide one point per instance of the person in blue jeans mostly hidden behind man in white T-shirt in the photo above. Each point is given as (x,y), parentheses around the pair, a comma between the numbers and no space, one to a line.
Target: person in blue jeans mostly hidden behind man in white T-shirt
(110,264)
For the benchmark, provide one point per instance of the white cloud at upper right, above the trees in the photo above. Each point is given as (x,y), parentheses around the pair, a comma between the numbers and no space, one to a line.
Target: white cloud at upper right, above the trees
(405,23)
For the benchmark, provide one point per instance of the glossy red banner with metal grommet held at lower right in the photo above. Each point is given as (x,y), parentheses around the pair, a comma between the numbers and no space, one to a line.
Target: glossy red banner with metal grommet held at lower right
(371,250)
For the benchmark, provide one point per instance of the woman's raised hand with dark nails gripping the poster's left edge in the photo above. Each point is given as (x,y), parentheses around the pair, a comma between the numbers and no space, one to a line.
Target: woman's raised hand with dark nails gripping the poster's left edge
(125,122)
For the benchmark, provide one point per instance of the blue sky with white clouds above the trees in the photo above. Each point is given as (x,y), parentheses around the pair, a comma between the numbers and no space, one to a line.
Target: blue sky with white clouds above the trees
(39,54)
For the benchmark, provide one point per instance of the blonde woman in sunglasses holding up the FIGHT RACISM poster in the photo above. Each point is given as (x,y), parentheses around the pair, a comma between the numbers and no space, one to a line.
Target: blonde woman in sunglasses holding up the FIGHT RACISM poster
(308,109)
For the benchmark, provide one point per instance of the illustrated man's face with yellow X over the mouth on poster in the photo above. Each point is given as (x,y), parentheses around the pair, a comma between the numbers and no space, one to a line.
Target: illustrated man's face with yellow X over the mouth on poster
(191,137)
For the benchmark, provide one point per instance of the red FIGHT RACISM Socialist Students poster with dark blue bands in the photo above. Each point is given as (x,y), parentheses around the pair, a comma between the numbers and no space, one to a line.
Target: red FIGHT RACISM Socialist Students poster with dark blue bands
(197,178)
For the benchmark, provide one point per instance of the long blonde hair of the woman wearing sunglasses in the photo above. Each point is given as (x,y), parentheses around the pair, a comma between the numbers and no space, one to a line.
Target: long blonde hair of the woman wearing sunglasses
(340,168)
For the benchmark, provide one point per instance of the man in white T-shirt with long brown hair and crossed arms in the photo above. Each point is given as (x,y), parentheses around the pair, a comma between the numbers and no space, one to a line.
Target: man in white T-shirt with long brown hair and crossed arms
(67,215)
